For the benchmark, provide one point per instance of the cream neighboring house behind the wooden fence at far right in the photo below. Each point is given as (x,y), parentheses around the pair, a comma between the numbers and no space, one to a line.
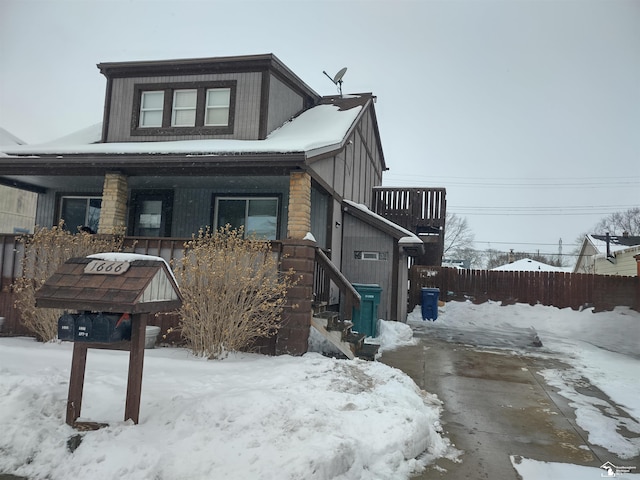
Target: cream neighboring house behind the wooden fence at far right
(609,255)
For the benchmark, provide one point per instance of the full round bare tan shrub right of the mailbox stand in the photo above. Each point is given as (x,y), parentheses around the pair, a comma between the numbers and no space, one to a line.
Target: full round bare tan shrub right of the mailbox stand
(233,291)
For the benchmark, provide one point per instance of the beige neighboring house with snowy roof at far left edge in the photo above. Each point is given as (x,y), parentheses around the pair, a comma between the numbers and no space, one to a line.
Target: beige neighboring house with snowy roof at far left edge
(17,207)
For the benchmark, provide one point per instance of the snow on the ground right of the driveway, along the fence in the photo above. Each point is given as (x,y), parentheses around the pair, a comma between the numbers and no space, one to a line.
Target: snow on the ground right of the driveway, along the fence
(602,349)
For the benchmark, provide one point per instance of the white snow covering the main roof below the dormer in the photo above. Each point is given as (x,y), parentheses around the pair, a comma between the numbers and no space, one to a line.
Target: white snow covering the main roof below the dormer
(319,129)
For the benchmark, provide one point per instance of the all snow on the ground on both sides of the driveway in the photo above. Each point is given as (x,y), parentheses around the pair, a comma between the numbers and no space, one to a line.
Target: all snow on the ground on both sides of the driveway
(256,417)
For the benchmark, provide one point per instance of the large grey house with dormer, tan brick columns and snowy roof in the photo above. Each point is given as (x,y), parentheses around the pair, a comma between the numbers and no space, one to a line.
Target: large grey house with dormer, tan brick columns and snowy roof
(186,144)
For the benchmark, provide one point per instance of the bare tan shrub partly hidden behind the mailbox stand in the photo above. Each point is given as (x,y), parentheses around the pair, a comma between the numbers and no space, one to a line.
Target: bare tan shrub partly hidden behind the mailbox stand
(44,252)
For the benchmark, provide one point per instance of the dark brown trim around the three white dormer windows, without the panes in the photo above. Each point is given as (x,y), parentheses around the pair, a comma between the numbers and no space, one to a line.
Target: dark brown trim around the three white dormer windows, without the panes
(167,114)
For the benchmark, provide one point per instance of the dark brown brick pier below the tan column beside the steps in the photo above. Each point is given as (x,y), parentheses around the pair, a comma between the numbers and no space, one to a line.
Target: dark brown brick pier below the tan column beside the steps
(293,336)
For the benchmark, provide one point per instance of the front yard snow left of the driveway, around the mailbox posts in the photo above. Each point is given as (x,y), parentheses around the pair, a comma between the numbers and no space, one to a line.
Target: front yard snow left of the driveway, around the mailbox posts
(247,417)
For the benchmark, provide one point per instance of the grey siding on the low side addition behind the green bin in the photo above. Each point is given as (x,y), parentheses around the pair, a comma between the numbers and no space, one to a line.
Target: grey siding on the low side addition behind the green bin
(358,236)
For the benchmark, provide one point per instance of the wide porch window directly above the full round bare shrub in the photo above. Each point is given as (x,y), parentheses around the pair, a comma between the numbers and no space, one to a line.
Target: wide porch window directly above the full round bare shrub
(258,215)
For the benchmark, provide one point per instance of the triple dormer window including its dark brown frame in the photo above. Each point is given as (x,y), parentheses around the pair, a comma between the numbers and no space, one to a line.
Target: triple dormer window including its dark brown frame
(184,108)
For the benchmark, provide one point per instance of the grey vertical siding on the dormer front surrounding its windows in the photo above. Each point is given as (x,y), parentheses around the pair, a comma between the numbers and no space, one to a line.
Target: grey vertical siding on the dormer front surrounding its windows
(247,108)
